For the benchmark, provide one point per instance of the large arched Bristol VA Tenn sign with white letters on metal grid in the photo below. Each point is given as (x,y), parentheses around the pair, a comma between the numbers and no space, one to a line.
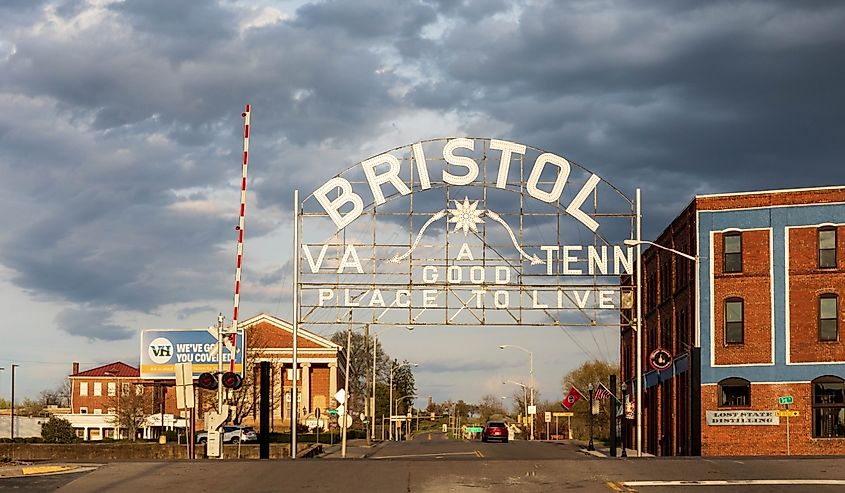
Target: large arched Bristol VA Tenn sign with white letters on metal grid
(464,231)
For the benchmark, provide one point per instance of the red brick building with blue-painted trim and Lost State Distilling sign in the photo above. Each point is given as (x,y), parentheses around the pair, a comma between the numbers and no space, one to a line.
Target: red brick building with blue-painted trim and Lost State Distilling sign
(759,316)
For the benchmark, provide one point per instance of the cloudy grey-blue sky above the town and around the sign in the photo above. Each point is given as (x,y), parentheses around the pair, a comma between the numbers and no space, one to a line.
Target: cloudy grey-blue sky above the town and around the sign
(120,134)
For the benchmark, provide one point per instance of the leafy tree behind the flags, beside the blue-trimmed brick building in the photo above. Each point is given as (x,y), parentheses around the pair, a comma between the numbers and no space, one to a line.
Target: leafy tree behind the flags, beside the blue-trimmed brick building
(591,372)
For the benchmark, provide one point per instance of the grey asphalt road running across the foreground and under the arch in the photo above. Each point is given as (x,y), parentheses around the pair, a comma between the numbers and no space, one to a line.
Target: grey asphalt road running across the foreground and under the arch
(438,465)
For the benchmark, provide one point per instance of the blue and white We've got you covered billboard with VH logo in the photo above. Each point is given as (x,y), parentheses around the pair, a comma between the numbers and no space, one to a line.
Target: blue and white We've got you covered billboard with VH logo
(161,349)
